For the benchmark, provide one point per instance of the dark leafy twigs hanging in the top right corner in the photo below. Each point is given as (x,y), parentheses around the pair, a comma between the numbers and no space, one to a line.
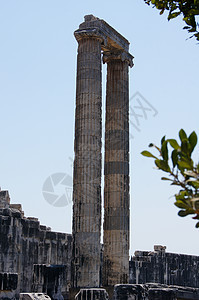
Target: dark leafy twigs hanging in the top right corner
(188,8)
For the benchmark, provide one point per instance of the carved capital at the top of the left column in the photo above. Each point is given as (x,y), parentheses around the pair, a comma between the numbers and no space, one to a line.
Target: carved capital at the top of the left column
(90,33)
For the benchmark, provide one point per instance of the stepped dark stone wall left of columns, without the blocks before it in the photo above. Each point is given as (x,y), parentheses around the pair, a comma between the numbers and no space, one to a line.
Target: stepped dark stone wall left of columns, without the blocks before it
(24,242)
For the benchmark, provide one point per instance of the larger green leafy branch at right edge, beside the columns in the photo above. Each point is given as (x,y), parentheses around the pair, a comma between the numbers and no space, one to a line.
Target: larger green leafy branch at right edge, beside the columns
(181,169)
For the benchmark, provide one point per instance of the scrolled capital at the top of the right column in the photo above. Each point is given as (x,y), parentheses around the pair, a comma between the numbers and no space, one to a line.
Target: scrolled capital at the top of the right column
(118,55)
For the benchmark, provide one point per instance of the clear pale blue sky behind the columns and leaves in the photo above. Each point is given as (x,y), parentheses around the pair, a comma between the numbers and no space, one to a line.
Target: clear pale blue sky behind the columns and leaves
(37,105)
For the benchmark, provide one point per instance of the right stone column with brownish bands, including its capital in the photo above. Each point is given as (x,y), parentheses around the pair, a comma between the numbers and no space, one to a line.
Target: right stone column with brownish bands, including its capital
(116,170)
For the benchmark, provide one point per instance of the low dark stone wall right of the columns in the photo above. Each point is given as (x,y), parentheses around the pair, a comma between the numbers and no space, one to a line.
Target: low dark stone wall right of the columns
(165,268)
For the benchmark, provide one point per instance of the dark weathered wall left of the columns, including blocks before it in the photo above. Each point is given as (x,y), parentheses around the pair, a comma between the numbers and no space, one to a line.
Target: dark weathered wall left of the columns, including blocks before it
(30,253)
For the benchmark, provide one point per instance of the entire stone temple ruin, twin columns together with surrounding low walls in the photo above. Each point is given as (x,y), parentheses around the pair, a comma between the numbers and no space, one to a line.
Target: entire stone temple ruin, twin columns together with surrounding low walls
(37,263)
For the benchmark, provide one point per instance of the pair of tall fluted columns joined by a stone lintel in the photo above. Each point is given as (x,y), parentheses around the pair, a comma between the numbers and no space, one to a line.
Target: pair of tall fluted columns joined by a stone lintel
(96,38)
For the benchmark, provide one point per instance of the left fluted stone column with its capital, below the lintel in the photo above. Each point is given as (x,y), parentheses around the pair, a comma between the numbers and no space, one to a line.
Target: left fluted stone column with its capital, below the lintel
(87,163)
